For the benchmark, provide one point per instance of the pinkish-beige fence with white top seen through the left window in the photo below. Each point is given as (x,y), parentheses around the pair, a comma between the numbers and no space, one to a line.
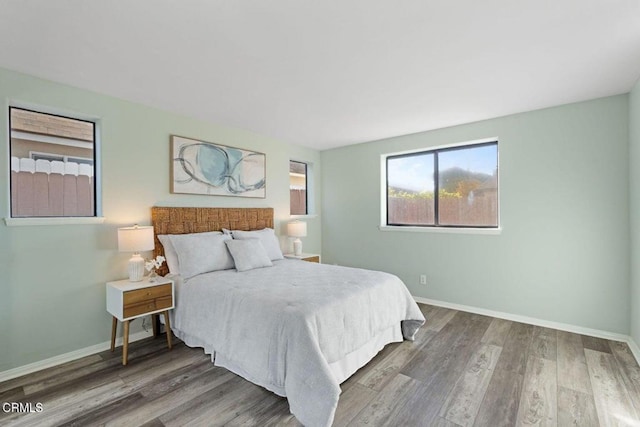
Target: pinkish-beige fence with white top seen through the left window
(42,188)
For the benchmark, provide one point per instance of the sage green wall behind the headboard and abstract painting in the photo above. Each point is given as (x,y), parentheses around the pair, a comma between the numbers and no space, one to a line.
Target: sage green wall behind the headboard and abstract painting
(52,297)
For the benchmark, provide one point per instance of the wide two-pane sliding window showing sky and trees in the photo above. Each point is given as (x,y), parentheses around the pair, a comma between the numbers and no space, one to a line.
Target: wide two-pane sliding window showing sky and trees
(446,187)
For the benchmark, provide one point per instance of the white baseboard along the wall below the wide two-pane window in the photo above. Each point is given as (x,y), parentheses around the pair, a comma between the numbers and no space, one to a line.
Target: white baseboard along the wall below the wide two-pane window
(532,321)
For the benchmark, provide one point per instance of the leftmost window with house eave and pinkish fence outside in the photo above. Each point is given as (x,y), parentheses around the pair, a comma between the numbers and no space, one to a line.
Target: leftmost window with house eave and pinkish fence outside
(52,165)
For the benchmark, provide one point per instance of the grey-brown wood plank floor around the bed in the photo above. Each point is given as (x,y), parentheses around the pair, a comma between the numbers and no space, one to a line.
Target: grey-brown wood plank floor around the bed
(463,370)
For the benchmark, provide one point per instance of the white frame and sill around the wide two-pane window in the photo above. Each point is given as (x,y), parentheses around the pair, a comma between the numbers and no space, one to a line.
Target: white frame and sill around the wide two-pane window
(436,227)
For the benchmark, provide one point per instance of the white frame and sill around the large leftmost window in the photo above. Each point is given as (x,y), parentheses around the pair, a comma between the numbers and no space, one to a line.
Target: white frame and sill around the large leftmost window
(96,217)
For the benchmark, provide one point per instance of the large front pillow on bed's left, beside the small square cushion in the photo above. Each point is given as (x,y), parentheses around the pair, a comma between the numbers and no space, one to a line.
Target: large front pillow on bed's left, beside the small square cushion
(201,253)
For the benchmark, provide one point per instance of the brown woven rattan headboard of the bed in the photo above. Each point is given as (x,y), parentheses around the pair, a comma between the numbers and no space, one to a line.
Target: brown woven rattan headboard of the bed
(170,220)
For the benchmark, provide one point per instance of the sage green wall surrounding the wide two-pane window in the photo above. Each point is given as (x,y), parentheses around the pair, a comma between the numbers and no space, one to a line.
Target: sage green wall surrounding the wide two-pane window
(563,254)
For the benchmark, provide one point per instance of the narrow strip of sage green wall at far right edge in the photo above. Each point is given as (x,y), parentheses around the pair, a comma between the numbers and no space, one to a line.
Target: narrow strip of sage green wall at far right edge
(634,201)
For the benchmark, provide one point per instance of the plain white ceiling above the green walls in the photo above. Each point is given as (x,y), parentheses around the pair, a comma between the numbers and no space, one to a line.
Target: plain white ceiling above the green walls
(327,73)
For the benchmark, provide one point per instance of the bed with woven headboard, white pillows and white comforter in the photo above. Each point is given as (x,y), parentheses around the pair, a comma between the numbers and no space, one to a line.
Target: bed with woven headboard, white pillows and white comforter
(296,328)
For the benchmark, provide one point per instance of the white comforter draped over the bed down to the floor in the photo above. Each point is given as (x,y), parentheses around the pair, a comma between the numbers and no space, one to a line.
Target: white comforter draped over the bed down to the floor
(281,327)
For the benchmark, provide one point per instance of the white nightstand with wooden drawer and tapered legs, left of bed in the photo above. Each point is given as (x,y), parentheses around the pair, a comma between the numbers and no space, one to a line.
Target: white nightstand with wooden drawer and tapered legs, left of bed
(129,300)
